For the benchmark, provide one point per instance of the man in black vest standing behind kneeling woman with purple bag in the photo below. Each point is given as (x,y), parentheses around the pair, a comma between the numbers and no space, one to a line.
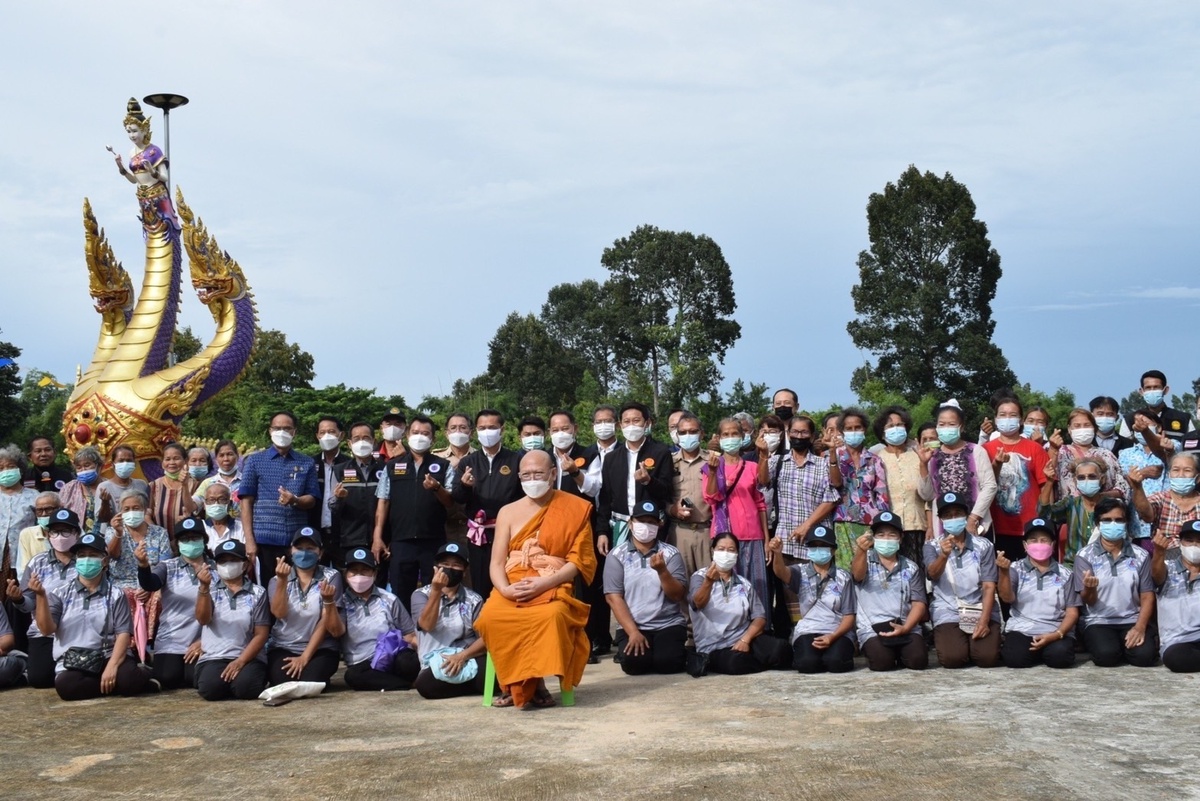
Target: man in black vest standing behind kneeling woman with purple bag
(355,497)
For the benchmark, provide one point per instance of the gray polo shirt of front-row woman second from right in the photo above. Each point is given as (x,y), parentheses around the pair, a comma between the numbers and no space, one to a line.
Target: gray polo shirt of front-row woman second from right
(1123,582)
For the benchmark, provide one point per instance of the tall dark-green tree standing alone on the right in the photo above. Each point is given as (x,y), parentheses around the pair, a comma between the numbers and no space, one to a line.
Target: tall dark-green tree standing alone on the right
(926,291)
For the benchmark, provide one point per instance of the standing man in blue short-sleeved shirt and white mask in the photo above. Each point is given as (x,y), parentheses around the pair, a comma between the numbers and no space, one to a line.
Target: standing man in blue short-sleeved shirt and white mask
(279,486)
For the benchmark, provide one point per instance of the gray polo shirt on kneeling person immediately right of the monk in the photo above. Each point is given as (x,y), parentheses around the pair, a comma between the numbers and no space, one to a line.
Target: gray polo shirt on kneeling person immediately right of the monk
(628,574)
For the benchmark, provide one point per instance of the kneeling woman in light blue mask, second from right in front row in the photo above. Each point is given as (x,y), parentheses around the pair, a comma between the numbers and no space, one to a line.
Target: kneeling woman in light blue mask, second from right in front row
(1118,593)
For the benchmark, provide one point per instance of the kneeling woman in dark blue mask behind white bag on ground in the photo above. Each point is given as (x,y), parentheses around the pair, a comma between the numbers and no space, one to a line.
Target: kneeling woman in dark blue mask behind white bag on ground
(304,599)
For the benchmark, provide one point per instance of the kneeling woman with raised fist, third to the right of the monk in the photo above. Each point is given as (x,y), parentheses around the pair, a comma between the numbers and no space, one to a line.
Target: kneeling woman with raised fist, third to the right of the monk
(824,640)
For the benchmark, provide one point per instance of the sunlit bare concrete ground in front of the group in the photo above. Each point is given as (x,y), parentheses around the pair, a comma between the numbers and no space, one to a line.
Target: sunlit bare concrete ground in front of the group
(1085,733)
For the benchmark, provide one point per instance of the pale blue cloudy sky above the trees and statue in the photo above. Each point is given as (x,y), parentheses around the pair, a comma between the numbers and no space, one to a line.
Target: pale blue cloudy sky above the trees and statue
(413,173)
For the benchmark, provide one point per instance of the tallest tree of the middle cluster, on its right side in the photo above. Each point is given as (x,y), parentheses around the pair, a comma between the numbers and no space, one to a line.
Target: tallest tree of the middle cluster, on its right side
(675,292)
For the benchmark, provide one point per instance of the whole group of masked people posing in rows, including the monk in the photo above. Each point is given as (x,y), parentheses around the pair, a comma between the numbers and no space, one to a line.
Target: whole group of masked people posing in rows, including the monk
(783,543)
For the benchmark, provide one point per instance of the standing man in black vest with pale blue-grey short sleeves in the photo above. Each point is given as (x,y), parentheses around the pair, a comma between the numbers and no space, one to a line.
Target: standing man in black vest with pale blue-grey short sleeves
(415,501)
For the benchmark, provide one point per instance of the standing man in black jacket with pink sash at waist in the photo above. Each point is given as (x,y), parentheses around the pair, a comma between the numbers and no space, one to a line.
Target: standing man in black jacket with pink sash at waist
(487,481)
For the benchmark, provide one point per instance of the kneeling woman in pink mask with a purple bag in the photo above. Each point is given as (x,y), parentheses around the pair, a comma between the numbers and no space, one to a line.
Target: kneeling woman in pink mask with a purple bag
(365,615)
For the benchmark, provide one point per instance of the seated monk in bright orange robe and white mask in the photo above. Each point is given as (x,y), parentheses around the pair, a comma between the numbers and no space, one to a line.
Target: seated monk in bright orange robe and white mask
(533,625)
